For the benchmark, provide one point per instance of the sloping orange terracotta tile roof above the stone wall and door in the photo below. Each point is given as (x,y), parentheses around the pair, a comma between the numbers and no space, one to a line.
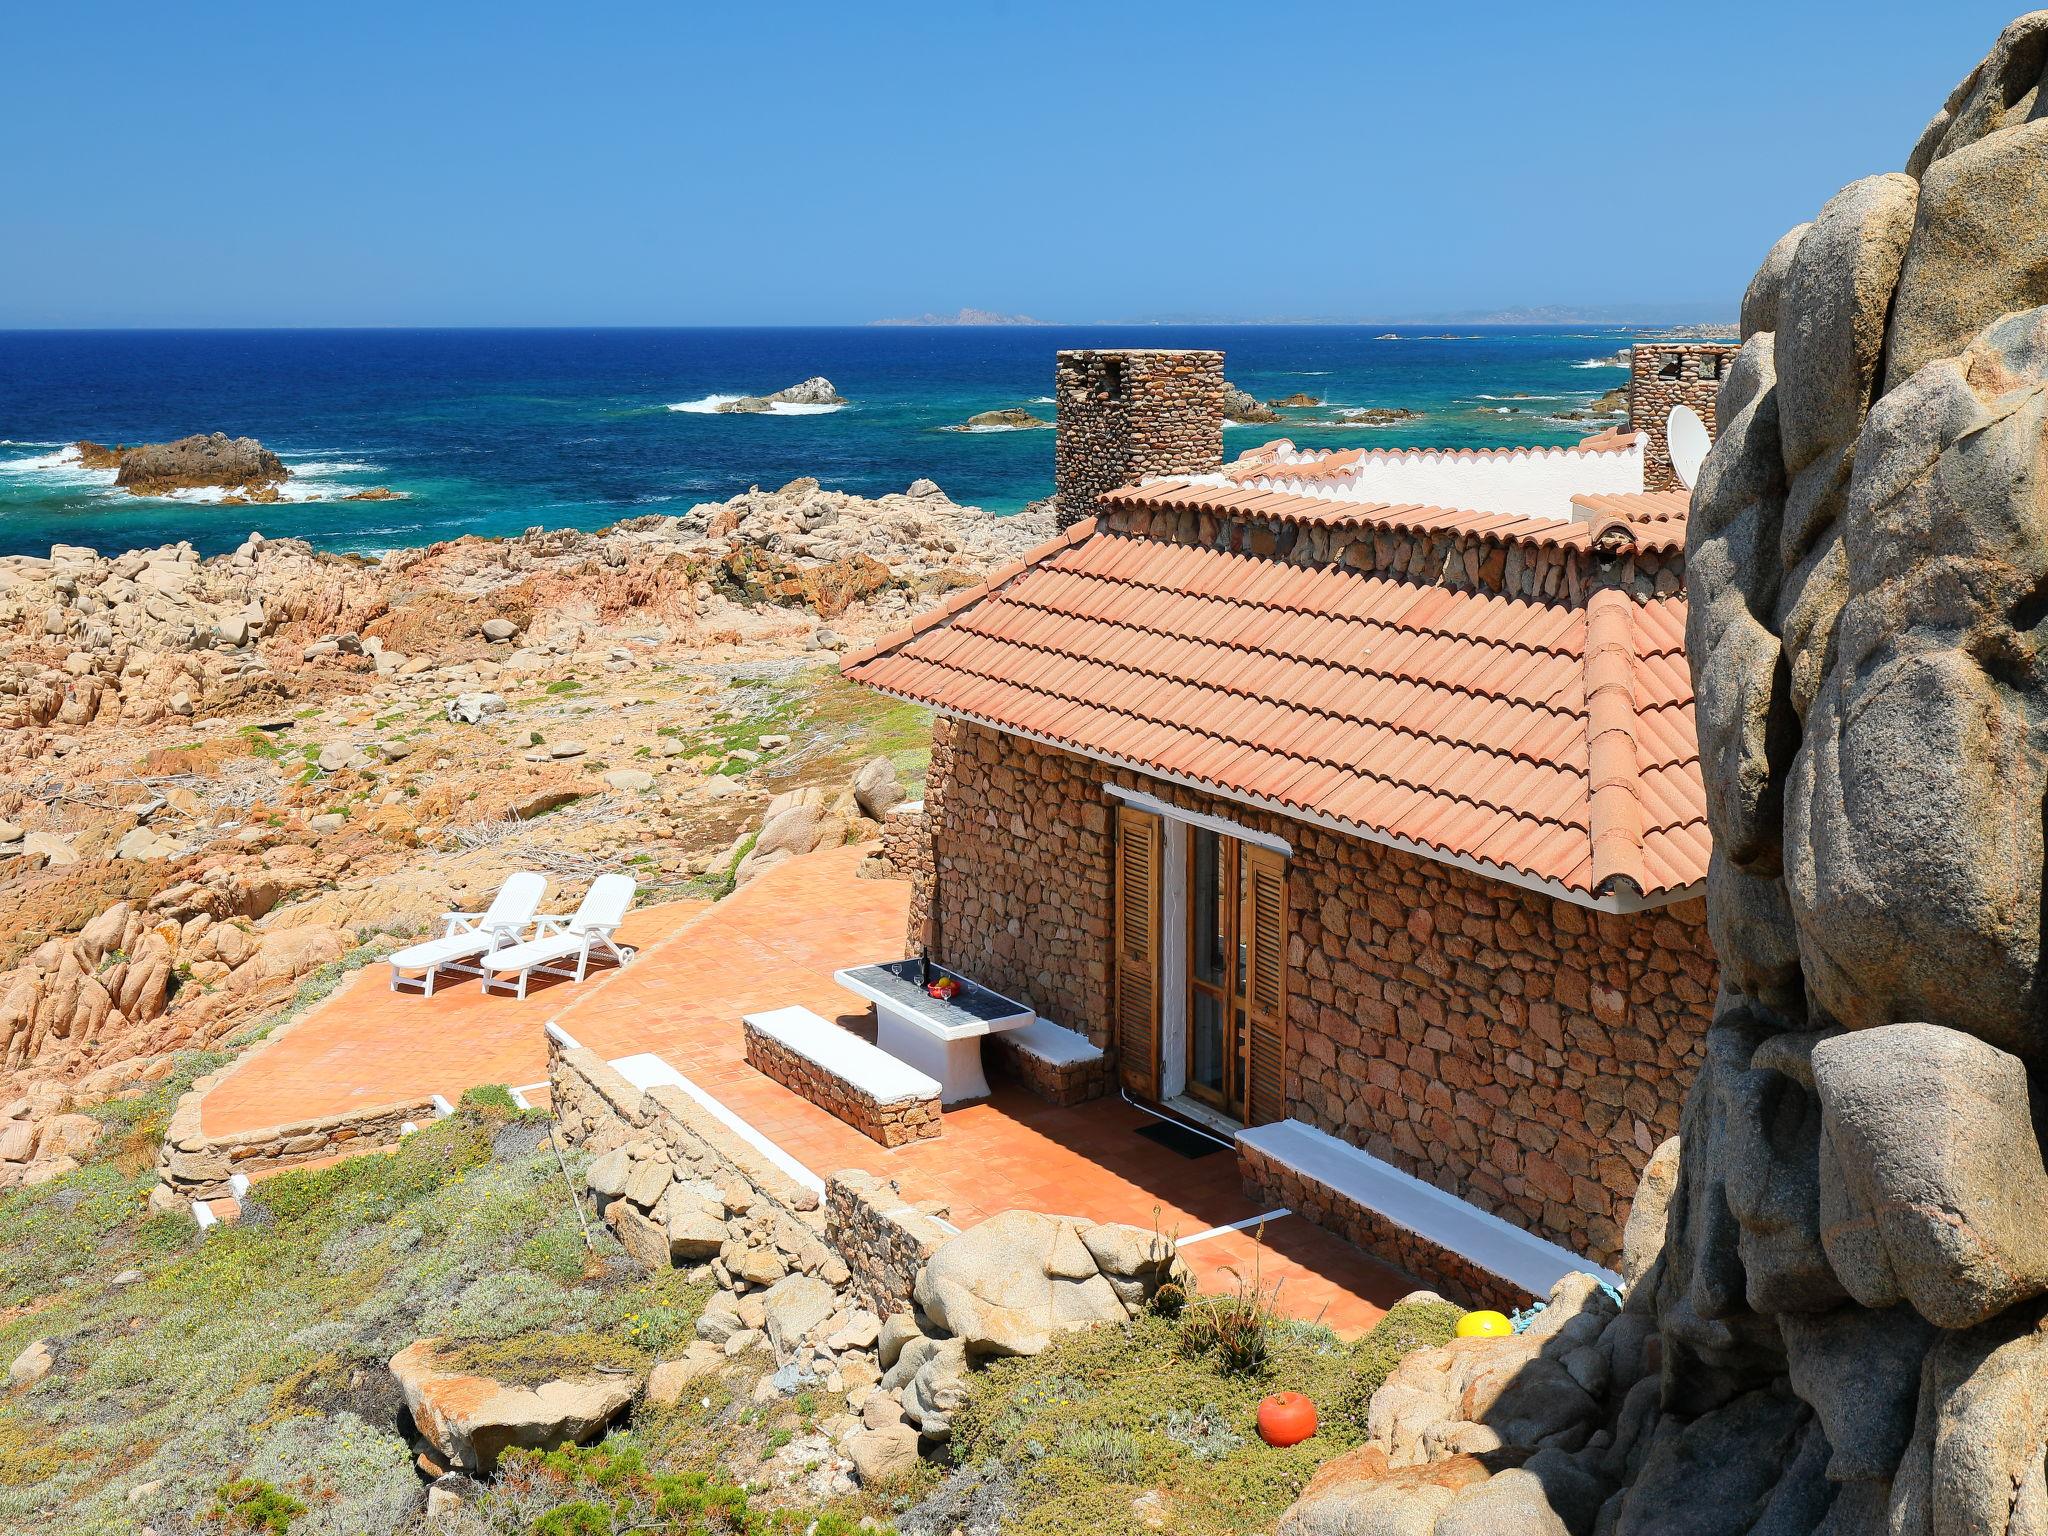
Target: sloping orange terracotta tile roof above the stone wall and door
(1533,738)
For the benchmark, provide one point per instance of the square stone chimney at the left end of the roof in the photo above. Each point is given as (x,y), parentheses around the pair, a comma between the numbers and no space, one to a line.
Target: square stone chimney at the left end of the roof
(1134,413)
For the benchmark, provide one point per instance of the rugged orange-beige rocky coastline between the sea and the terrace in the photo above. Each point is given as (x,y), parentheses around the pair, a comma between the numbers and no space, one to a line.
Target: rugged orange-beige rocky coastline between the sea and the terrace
(222,775)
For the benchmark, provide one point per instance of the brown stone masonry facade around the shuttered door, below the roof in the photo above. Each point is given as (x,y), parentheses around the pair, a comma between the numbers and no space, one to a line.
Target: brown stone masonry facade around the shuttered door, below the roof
(1519,1052)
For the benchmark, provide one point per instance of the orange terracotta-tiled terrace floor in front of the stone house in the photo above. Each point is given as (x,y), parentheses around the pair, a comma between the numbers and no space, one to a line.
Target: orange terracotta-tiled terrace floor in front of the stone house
(773,945)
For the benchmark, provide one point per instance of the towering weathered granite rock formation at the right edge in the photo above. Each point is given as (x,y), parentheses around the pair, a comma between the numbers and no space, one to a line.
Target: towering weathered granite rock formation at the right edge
(1850,1312)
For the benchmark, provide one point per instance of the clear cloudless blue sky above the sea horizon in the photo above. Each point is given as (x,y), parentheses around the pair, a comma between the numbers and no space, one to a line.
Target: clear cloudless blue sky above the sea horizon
(794,163)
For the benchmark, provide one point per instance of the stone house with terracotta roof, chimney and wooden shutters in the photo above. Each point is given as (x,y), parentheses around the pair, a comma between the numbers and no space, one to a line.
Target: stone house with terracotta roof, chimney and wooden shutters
(1349,802)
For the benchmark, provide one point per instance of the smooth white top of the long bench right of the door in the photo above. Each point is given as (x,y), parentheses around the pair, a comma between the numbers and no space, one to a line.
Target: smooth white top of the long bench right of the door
(1496,1246)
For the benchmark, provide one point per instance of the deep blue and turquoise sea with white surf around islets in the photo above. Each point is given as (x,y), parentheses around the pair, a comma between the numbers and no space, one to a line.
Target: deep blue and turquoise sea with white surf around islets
(497,431)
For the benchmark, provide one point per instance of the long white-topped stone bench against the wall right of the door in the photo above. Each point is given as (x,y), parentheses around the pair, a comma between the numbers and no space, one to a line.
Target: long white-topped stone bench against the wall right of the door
(1431,1234)
